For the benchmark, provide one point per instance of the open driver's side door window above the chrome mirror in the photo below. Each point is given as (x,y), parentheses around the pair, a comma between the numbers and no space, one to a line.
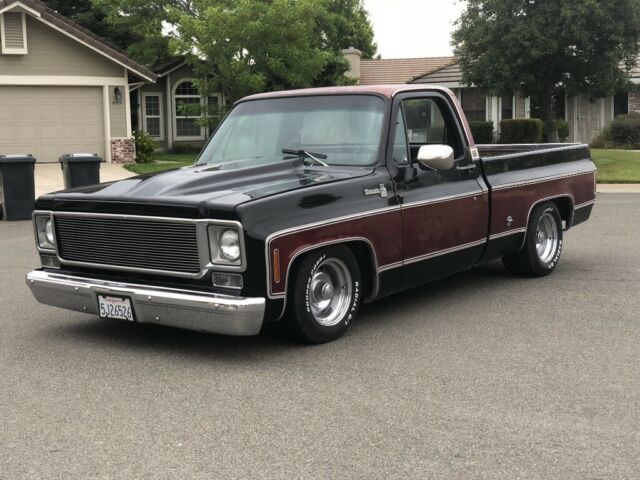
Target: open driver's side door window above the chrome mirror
(429,124)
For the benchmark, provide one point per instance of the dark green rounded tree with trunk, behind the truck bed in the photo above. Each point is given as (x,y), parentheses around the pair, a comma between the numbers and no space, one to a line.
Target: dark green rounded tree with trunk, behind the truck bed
(536,46)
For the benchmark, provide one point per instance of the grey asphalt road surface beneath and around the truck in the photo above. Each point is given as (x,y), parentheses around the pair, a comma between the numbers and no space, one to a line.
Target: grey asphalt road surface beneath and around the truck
(479,376)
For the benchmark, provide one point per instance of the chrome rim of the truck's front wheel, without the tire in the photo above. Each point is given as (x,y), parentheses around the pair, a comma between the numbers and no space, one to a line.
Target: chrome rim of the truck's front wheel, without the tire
(330,292)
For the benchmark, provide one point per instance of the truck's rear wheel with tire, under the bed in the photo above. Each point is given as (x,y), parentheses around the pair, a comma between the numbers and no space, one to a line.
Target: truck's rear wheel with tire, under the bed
(543,244)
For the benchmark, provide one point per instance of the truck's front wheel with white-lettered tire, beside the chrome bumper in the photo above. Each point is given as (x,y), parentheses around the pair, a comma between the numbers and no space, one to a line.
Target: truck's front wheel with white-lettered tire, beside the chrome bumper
(325,294)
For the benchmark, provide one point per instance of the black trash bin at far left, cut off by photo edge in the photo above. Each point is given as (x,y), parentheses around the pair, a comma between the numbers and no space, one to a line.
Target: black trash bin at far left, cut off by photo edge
(17,186)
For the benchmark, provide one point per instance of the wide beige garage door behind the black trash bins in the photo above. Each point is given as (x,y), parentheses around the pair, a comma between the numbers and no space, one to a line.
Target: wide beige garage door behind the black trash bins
(50,121)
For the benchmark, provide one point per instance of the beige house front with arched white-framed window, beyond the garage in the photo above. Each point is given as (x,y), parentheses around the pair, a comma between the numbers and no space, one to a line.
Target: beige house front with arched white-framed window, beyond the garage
(158,108)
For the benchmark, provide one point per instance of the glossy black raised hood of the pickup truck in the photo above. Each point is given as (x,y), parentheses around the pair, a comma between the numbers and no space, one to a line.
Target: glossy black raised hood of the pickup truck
(206,188)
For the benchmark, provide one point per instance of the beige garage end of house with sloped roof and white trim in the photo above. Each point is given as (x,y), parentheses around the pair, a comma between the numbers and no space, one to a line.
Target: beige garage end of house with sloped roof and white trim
(62,88)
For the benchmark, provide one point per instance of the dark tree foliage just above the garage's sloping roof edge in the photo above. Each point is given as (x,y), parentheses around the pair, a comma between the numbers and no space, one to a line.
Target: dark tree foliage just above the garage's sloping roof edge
(94,19)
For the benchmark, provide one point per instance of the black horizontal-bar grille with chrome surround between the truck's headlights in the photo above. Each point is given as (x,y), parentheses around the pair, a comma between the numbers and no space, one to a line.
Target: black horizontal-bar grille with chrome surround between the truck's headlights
(130,243)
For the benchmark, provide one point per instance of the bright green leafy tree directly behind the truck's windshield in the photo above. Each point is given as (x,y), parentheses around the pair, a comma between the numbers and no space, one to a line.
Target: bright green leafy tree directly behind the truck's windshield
(248,46)
